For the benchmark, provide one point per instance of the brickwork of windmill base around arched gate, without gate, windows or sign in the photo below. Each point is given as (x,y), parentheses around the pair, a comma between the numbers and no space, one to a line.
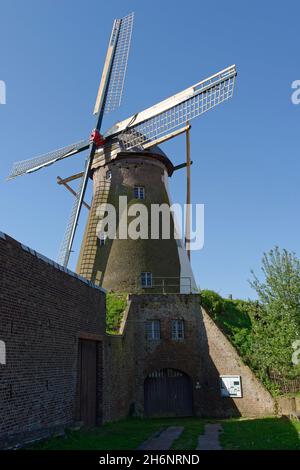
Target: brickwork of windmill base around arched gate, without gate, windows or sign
(203,355)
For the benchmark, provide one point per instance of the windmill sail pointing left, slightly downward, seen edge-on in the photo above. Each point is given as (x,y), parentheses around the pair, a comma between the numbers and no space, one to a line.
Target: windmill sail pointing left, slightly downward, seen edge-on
(34,164)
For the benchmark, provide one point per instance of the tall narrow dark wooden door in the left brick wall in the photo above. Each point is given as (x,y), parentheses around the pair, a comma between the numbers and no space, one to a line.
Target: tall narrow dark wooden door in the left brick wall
(88,382)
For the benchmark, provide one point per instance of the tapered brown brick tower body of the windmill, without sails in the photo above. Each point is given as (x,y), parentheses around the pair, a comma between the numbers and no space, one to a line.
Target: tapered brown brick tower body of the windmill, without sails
(118,264)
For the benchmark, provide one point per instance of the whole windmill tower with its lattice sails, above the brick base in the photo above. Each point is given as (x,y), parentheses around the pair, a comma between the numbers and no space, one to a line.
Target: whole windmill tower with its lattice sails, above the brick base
(127,161)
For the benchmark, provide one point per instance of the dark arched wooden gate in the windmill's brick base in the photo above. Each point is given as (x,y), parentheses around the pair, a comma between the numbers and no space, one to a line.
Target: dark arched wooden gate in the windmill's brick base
(168,392)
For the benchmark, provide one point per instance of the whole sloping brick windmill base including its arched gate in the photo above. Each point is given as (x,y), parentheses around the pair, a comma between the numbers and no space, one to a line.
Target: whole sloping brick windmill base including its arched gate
(176,377)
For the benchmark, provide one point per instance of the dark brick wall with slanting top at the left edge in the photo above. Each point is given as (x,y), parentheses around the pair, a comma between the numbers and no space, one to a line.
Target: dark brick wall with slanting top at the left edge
(44,310)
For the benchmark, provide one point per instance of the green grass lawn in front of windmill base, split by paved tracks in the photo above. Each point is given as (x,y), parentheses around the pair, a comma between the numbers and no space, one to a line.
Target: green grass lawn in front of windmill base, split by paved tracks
(245,434)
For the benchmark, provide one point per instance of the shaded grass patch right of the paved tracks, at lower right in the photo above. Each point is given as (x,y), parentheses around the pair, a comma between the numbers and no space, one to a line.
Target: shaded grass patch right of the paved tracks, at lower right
(261,434)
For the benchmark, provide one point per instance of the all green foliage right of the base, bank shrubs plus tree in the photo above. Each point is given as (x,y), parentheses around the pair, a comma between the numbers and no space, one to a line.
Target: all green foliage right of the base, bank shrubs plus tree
(263,332)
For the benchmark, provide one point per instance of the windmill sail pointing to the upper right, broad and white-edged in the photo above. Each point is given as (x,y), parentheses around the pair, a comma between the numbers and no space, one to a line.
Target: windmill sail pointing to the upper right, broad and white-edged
(175,111)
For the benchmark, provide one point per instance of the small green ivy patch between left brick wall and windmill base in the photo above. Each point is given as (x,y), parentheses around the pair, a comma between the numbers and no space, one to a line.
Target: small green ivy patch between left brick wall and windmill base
(115,306)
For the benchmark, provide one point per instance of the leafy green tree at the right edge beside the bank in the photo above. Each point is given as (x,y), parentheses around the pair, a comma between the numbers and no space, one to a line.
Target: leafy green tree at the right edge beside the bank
(277,324)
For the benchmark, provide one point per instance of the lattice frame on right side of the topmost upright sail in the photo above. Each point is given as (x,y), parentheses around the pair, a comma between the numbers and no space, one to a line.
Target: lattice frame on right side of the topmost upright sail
(118,72)
